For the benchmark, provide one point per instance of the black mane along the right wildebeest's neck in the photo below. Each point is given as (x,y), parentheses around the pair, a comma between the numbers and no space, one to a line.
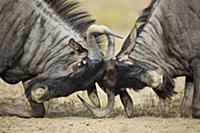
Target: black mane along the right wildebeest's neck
(144,17)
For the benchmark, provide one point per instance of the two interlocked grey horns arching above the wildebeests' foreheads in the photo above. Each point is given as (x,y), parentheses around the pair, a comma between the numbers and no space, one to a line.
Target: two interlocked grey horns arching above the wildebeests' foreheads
(94,52)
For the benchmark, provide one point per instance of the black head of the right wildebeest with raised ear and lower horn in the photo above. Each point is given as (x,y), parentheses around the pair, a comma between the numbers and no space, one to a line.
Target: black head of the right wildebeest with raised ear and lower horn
(123,72)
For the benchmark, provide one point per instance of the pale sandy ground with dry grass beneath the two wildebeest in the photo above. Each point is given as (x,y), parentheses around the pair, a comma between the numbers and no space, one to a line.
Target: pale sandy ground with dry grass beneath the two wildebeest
(67,115)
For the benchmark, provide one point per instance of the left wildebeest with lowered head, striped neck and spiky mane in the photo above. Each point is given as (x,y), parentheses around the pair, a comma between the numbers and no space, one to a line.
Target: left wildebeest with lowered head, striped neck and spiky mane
(51,47)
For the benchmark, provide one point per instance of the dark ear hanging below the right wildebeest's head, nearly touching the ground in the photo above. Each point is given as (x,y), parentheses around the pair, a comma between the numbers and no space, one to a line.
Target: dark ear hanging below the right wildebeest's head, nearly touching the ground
(127,102)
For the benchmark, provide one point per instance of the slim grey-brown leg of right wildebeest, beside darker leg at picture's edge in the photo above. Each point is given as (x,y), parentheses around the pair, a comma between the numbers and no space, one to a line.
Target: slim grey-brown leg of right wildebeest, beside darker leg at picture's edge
(186,106)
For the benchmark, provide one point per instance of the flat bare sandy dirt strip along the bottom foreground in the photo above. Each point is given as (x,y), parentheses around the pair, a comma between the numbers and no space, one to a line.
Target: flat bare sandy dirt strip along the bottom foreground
(118,124)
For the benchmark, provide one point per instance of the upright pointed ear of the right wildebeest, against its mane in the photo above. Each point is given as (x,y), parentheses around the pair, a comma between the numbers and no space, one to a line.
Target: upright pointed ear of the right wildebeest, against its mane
(129,43)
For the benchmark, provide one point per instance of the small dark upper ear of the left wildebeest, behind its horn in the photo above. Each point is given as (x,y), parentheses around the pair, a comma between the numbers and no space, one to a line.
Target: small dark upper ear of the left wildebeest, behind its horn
(76,46)
